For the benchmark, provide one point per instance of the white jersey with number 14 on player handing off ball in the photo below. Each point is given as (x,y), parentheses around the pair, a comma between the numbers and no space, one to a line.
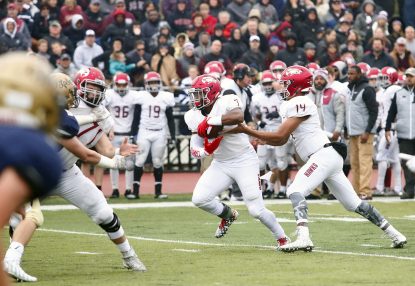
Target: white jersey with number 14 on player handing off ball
(308,138)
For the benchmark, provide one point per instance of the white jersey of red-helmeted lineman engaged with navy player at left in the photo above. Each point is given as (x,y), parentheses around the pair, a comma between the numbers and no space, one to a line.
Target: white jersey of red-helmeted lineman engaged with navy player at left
(89,134)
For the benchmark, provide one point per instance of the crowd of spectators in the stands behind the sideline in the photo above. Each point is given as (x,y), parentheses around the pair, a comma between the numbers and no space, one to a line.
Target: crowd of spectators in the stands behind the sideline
(136,36)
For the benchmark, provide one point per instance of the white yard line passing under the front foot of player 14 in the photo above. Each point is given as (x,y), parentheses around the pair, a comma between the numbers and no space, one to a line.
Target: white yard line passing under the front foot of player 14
(230,245)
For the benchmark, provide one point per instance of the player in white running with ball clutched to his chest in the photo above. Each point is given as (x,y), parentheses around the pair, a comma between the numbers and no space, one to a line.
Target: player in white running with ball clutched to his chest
(234,158)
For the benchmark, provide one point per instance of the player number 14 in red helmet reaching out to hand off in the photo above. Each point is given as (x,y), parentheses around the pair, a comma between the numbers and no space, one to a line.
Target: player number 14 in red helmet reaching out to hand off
(324,160)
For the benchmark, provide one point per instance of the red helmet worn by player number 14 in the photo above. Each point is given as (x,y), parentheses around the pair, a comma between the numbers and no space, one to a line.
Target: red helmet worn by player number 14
(296,80)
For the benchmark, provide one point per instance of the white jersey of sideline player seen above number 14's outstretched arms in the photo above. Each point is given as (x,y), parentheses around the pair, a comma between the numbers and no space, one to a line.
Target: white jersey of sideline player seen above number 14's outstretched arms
(266,104)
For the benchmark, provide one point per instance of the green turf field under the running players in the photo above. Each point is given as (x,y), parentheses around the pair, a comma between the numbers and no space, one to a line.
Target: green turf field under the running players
(178,247)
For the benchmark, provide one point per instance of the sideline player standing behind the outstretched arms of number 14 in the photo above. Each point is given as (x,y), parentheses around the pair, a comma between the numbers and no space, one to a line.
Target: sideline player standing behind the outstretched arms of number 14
(266,106)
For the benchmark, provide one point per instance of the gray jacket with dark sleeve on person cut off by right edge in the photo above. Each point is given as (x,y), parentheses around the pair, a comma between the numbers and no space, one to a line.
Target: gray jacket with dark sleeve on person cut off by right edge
(403,110)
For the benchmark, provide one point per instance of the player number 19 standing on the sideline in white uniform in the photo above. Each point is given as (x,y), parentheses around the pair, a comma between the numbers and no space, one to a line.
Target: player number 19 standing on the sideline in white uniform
(154,117)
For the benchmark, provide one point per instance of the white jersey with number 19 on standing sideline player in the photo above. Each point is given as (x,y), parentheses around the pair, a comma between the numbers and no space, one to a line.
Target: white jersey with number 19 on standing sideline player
(153,109)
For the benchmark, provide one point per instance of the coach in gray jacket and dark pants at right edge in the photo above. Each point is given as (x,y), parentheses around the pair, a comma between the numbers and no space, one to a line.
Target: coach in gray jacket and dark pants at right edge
(403,110)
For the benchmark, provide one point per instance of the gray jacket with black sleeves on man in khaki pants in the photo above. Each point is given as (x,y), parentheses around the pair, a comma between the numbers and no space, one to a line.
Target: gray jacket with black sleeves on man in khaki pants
(361,108)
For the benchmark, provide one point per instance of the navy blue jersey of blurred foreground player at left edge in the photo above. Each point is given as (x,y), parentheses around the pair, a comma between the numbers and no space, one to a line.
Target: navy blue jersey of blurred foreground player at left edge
(33,156)
